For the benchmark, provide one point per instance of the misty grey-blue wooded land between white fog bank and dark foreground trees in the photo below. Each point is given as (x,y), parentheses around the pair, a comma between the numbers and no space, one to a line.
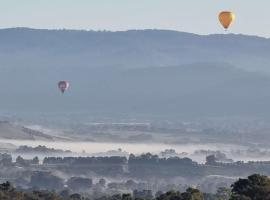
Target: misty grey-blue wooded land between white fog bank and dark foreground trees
(98,176)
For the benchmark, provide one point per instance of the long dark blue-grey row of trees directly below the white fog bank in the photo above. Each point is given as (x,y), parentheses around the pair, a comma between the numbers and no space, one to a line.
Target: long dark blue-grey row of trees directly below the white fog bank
(145,165)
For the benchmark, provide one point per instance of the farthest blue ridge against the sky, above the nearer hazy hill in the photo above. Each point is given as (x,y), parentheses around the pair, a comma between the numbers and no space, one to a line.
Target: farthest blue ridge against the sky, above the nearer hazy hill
(128,49)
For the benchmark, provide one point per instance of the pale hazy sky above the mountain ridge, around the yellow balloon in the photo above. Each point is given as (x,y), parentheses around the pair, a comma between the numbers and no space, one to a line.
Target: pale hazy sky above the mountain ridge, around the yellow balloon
(197,16)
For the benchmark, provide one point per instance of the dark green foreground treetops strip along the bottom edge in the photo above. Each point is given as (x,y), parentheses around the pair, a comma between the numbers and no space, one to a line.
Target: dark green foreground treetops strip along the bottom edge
(255,187)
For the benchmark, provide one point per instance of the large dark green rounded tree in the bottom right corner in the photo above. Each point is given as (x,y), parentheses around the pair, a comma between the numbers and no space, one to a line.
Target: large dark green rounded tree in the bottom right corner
(255,187)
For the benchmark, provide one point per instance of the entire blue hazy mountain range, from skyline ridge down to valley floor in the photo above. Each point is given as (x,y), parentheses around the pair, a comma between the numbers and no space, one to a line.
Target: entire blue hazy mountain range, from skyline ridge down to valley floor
(150,72)
